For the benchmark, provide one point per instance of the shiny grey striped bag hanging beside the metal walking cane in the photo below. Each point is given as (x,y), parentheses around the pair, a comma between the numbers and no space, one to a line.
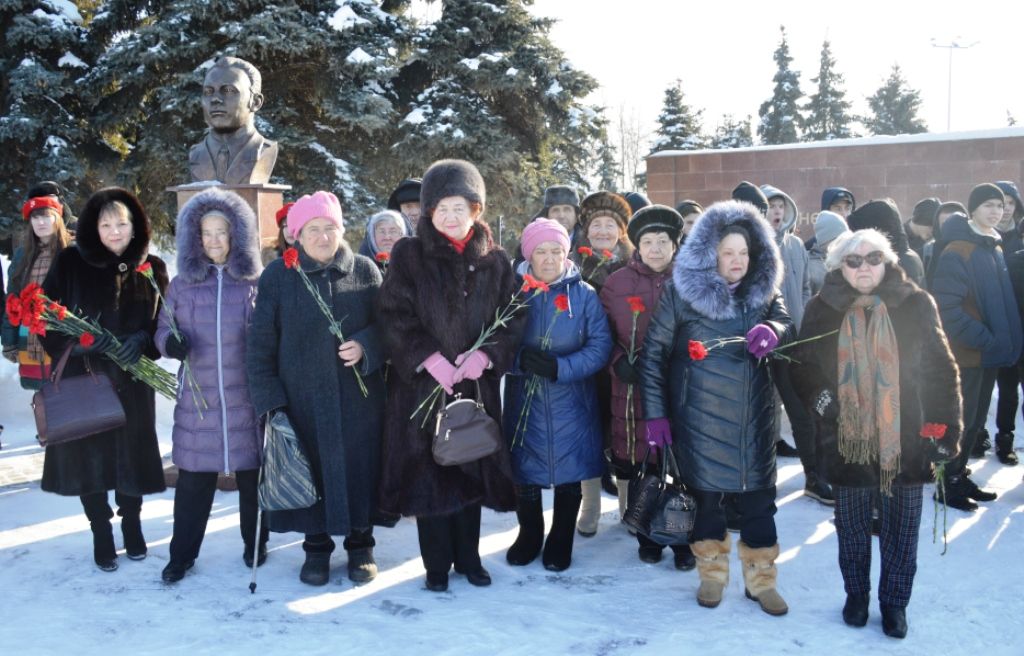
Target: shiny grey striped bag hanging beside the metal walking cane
(286,479)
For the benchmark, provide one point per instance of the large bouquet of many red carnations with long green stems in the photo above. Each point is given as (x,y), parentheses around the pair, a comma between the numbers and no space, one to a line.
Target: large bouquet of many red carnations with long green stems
(35,311)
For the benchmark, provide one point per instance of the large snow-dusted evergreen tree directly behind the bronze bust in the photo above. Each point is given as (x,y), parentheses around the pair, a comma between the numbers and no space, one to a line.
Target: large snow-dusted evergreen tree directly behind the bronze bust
(327,73)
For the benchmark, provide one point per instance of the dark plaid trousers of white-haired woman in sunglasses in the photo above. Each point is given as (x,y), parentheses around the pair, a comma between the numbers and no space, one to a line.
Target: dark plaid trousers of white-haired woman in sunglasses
(899,541)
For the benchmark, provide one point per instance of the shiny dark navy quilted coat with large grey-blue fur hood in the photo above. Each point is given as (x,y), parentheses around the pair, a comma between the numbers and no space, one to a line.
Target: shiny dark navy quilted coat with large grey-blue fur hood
(721,409)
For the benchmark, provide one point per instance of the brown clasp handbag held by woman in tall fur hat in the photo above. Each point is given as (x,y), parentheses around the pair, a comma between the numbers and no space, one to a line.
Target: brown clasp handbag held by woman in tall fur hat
(464,432)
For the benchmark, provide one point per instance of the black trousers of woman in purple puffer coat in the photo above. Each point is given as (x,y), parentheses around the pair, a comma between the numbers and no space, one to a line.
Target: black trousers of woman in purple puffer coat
(193,502)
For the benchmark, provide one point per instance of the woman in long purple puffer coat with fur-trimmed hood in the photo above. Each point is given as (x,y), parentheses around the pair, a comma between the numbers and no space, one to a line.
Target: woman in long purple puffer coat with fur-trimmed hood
(212,299)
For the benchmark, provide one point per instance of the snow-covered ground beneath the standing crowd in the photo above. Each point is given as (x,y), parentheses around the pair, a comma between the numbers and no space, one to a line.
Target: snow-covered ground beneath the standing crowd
(54,600)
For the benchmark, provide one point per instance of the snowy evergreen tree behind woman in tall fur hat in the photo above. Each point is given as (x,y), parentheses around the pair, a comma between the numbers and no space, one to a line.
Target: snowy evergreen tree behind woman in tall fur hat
(485,83)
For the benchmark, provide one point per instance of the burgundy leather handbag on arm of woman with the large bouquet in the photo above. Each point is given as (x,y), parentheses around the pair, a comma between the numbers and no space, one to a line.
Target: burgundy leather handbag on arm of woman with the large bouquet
(77,407)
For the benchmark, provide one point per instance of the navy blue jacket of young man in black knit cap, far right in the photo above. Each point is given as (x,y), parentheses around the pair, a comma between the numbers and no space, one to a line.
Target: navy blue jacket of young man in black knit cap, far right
(976,299)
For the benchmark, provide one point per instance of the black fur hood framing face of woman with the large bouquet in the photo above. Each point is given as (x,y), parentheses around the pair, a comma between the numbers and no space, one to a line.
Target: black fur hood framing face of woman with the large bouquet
(88,235)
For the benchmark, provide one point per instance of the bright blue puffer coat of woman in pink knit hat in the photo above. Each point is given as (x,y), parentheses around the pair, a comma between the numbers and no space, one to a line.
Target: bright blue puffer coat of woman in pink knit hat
(562,441)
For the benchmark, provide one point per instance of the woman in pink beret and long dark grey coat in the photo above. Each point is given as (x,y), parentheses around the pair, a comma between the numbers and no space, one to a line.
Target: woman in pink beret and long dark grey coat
(297,367)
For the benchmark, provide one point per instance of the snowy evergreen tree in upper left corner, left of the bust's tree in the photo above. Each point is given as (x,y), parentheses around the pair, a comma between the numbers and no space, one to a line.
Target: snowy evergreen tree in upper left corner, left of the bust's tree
(45,133)
